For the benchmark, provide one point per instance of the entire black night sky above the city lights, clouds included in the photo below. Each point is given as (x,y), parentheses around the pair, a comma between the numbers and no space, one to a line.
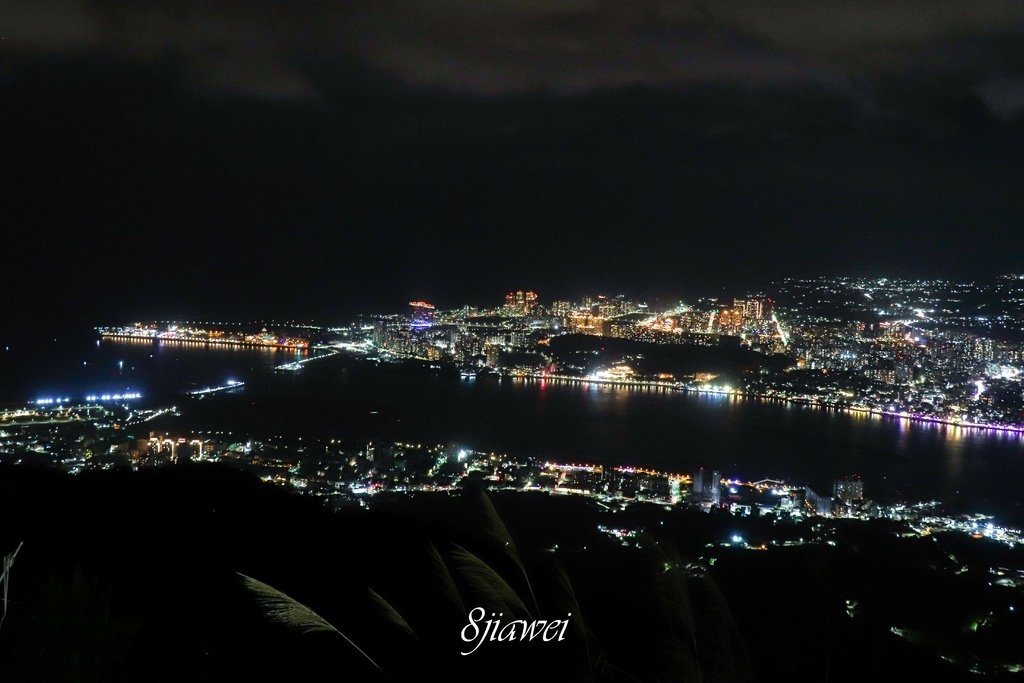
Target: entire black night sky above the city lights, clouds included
(207,159)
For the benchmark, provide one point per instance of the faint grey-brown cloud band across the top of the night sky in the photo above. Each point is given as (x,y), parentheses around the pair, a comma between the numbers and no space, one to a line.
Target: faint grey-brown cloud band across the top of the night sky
(272,50)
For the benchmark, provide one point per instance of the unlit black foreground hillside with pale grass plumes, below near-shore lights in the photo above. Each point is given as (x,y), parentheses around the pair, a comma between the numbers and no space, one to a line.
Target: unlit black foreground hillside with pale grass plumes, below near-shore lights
(136,576)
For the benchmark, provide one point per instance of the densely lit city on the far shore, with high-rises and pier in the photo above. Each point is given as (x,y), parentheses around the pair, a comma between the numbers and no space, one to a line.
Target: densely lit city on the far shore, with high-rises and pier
(928,351)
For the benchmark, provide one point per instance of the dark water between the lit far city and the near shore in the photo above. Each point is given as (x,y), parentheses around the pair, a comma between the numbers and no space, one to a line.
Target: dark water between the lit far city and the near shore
(983,472)
